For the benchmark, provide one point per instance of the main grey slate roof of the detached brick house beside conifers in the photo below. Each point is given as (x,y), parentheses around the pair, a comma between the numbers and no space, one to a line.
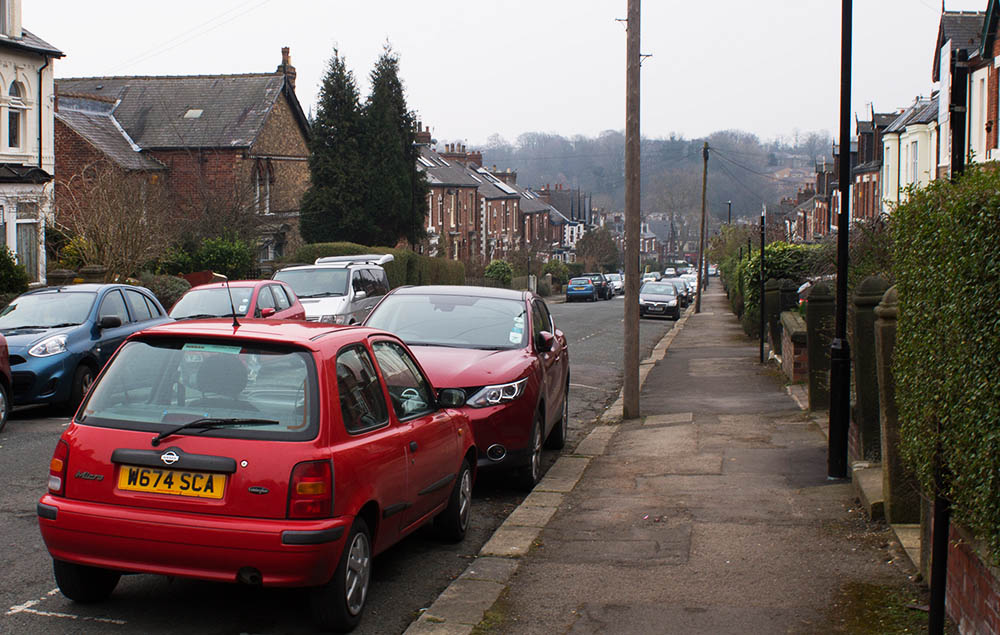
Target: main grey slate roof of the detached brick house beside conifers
(163,112)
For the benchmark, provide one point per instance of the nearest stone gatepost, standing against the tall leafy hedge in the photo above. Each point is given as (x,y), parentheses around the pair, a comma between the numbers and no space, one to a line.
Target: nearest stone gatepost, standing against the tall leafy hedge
(902,498)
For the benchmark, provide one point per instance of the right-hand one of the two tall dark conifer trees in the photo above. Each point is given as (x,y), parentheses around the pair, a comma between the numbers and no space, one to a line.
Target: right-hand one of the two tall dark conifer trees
(396,192)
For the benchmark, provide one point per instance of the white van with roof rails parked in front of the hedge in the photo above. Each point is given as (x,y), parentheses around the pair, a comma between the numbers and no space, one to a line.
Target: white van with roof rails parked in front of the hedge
(339,289)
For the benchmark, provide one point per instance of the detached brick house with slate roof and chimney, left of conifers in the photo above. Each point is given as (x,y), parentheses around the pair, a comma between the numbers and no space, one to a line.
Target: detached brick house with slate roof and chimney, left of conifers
(224,144)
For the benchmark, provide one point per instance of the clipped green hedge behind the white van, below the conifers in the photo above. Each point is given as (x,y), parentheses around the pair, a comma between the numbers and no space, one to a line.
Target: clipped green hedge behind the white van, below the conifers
(407,267)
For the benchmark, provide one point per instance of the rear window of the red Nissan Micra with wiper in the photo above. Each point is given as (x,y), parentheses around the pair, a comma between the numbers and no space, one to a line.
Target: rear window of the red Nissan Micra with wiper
(159,384)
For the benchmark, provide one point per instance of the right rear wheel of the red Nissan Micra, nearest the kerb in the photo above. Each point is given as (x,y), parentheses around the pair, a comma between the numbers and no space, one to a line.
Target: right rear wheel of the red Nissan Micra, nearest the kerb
(337,605)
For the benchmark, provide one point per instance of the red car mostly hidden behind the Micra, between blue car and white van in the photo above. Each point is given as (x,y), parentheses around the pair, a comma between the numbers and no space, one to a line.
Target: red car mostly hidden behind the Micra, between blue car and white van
(249,298)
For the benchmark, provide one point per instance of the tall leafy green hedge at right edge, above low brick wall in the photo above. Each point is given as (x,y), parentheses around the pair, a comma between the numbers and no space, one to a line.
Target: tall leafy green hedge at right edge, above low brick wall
(947,267)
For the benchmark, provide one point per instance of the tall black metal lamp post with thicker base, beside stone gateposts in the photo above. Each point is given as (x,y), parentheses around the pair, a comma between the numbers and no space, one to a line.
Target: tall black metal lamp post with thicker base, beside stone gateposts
(840,351)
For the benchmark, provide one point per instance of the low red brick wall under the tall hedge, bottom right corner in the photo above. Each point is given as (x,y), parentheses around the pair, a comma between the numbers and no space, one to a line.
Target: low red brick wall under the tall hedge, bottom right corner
(973,588)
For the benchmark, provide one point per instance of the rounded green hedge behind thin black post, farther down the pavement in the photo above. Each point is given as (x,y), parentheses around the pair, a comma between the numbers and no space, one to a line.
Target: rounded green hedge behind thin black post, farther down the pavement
(781,260)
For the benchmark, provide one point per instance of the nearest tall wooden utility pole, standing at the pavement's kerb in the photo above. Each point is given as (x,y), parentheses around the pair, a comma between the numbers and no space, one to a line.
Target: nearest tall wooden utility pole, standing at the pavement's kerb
(630,406)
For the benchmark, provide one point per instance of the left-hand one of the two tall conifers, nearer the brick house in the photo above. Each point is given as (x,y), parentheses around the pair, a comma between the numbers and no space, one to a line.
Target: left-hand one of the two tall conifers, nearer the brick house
(332,206)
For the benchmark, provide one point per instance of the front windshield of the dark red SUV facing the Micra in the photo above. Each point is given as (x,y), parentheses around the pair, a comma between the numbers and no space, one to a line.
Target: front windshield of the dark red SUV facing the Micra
(452,320)
